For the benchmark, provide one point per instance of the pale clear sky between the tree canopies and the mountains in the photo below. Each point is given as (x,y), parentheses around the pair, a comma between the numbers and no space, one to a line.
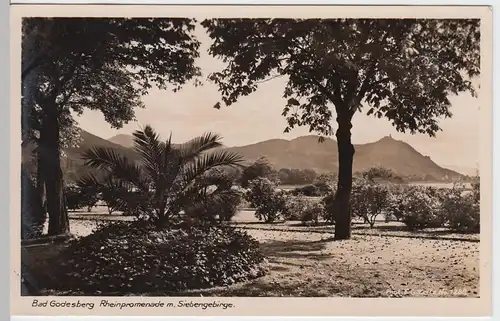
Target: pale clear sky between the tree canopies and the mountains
(257,117)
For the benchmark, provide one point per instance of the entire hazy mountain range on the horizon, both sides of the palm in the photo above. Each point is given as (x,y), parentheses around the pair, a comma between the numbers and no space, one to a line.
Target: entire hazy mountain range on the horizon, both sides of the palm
(304,152)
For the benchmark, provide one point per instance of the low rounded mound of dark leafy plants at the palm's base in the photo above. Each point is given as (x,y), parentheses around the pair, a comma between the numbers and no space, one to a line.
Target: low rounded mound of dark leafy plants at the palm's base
(136,257)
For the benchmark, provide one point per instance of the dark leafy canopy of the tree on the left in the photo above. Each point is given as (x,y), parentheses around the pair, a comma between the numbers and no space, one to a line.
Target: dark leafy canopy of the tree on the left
(103,64)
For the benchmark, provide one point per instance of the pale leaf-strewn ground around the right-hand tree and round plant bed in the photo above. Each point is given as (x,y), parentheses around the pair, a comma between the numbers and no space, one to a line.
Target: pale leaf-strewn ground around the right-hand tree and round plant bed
(386,261)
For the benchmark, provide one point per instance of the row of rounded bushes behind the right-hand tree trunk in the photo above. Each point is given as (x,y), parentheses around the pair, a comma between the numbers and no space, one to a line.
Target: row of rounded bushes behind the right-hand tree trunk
(416,206)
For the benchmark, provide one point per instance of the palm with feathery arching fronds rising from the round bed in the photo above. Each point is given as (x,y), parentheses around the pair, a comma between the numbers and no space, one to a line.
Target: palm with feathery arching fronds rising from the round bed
(167,177)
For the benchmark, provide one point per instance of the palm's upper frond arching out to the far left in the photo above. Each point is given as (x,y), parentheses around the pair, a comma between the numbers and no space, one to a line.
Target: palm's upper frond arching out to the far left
(118,165)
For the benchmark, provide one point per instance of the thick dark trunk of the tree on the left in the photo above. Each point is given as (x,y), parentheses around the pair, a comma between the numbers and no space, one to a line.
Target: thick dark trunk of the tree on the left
(51,169)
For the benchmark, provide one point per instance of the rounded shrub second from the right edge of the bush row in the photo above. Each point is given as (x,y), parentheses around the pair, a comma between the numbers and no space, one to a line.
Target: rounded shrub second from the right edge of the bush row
(422,209)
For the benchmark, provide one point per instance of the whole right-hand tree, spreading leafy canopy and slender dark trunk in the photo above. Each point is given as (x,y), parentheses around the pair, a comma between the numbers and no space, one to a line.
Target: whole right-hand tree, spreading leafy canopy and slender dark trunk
(401,69)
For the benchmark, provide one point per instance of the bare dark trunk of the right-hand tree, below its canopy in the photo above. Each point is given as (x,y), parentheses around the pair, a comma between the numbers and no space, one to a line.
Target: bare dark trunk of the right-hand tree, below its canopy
(344,185)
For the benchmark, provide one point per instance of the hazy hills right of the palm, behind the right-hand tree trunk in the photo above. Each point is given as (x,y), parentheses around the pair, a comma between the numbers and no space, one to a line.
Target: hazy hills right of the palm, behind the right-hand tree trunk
(306,152)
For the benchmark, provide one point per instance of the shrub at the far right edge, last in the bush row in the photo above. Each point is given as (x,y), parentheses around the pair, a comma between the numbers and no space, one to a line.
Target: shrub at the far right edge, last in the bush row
(462,211)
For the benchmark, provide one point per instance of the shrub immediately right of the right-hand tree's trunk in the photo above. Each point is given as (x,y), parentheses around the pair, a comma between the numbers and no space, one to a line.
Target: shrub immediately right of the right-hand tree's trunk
(368,200)
